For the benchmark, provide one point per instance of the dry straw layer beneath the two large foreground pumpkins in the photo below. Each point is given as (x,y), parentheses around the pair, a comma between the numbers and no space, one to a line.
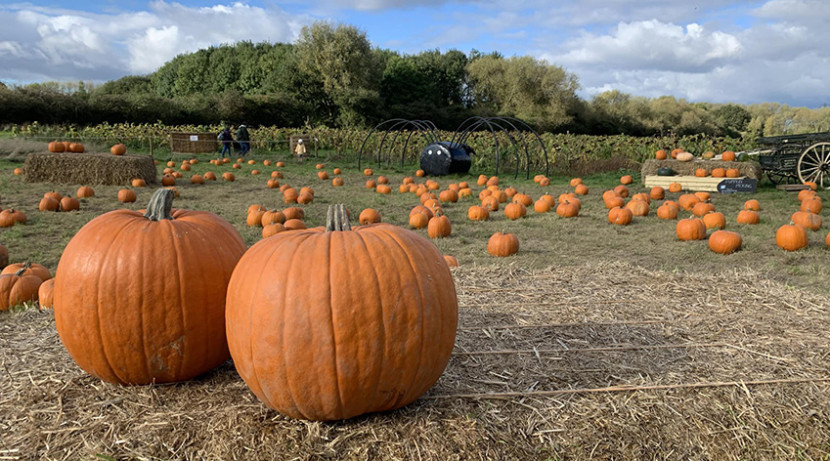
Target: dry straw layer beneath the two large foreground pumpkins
(603,360)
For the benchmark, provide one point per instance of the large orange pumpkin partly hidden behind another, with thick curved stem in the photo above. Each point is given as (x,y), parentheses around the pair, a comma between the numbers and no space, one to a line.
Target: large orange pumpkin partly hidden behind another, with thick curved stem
(137,301)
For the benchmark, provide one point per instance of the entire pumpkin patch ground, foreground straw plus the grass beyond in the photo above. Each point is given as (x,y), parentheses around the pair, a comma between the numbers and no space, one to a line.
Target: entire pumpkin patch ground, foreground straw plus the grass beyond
(585,307)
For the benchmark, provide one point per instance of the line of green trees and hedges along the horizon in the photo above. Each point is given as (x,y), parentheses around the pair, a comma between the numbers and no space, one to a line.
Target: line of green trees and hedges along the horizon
(332,76)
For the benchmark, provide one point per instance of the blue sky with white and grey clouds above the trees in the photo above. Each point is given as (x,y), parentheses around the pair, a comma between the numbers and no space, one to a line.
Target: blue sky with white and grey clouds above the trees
(748,52)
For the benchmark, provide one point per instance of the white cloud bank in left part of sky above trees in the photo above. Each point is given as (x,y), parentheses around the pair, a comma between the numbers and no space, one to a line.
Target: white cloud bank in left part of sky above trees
(39,44)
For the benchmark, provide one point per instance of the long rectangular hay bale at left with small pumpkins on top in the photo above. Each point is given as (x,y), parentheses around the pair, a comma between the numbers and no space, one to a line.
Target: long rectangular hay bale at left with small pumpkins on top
(88,168)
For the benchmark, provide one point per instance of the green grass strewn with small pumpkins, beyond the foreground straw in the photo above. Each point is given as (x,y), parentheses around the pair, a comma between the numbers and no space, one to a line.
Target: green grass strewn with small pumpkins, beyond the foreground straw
(546,239)
